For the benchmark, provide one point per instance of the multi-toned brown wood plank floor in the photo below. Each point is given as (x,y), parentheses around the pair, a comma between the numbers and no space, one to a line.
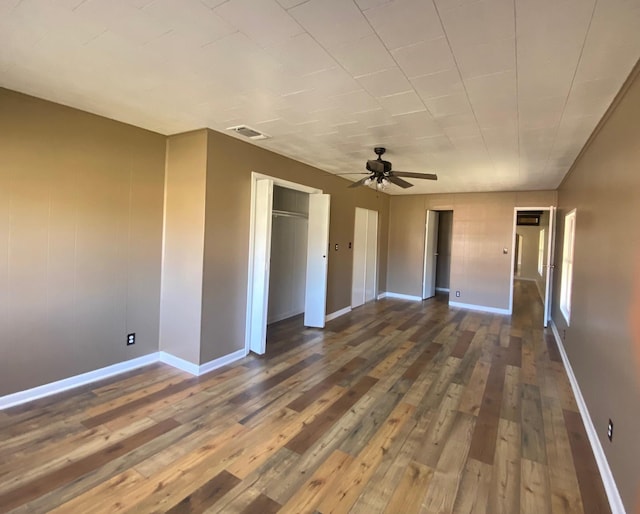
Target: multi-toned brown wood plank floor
(397,407)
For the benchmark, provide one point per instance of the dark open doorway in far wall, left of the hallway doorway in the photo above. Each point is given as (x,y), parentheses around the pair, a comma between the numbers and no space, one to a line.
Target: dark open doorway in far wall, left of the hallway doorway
(437,254)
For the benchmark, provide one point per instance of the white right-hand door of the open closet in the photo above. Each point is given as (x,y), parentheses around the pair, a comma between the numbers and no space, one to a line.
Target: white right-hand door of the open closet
(315,299)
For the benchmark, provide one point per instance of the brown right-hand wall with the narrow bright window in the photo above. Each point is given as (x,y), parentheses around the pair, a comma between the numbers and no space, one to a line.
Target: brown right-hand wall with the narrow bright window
(604,188)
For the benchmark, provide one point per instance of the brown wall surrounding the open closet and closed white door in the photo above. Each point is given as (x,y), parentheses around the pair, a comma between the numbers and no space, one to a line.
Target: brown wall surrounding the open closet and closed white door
(230,163)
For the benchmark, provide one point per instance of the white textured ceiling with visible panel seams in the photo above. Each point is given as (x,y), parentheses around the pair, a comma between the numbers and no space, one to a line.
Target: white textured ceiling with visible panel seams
(489,94)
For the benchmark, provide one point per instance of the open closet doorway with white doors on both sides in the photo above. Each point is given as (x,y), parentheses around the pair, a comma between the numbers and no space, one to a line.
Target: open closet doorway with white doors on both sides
(302,203)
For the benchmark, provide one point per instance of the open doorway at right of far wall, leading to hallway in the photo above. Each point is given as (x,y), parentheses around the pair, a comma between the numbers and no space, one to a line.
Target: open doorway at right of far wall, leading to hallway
(532,266)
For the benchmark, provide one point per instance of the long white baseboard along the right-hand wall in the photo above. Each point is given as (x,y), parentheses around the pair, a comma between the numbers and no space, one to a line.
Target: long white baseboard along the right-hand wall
(610,486)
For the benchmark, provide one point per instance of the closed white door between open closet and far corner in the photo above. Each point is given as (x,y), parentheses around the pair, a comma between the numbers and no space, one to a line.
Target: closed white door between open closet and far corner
(365,257)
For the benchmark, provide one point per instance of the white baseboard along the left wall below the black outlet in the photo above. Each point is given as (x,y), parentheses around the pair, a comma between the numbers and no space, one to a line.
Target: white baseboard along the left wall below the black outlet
(65,384)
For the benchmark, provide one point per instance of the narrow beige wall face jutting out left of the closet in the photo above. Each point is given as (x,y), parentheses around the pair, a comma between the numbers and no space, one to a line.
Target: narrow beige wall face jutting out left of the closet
(183,246)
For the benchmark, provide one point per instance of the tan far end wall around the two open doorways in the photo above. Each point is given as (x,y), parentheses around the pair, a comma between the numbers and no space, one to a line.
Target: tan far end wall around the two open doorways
(482,227)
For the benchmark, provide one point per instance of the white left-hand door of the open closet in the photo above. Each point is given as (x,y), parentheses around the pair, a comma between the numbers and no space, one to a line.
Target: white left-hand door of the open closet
(261,264)
